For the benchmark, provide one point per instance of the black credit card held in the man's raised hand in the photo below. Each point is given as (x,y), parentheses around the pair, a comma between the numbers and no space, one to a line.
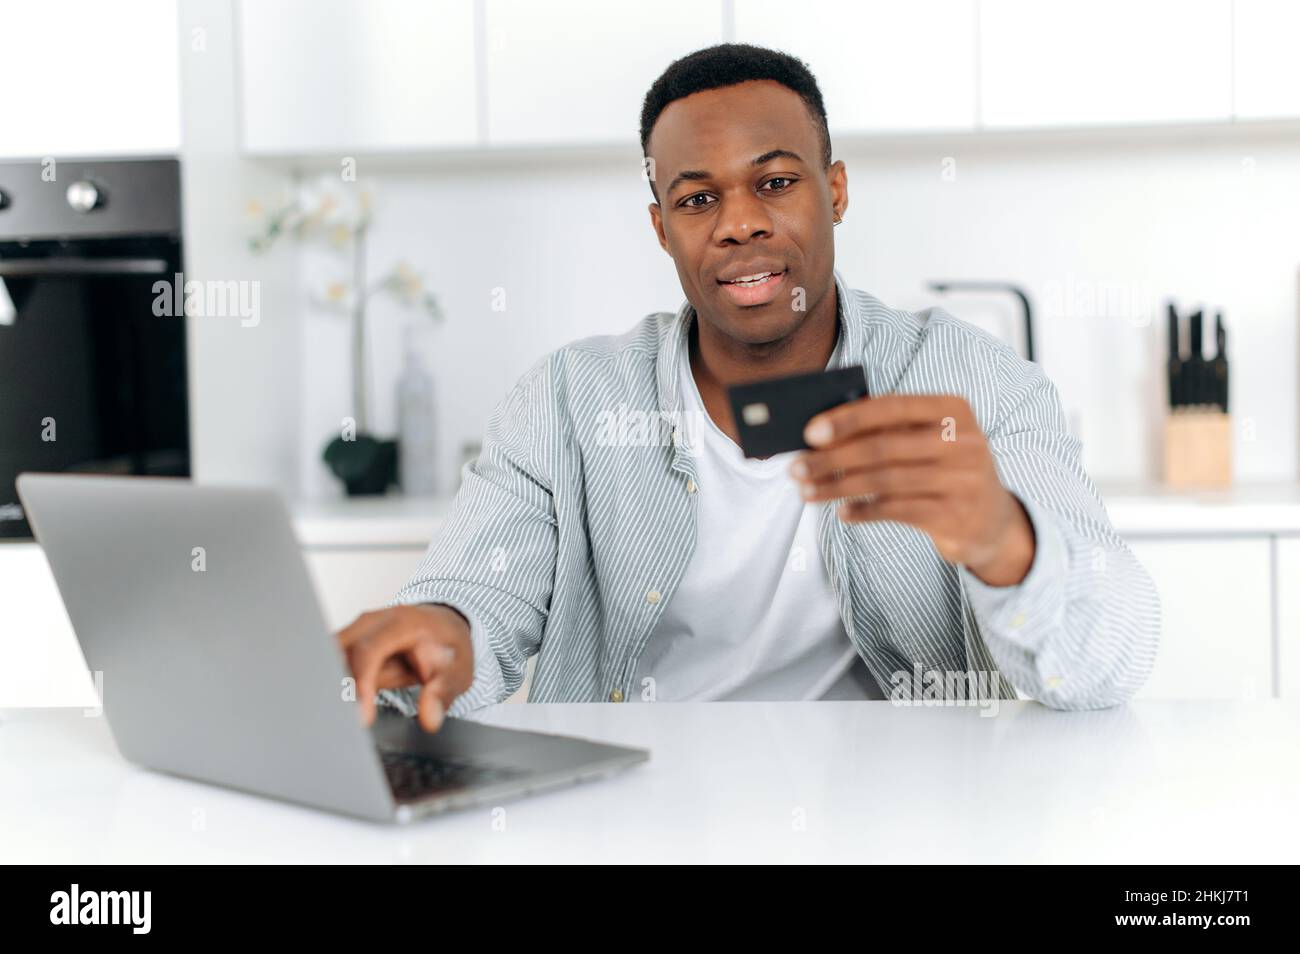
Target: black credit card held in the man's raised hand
(772,414)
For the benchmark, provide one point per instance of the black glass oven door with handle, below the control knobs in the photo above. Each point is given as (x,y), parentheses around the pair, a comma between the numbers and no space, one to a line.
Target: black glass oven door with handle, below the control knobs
(92,380)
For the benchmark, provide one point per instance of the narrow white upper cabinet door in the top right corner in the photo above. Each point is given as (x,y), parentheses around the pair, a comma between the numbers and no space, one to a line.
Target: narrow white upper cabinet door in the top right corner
(1267,70)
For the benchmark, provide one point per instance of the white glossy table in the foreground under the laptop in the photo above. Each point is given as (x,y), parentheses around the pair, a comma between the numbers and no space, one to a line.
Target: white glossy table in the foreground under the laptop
(847,782)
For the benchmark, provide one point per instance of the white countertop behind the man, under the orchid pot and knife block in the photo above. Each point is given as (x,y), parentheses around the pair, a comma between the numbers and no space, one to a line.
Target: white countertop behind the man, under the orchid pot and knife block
(1137,510)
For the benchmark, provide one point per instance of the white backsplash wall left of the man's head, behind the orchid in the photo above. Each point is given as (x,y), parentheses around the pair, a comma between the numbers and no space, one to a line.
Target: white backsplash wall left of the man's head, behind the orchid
(573,250)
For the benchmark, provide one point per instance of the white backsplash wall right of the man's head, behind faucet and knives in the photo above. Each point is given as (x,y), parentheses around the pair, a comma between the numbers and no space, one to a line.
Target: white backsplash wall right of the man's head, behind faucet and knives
(1214,222)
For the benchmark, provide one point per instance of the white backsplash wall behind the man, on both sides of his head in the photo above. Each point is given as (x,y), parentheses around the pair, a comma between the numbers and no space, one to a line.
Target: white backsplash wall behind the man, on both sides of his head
(1207,219)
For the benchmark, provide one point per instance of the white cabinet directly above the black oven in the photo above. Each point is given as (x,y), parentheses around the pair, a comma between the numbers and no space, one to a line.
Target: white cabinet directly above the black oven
(86,79)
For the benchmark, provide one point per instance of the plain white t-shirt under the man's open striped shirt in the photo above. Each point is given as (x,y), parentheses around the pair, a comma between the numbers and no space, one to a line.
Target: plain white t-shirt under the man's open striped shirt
(755,617)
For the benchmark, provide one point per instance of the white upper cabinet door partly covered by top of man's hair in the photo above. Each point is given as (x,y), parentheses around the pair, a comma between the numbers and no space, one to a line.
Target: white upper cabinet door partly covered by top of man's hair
(578,71)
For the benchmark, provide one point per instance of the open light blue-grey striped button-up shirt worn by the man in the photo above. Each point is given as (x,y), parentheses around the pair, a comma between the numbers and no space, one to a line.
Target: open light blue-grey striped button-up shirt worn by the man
(574,527)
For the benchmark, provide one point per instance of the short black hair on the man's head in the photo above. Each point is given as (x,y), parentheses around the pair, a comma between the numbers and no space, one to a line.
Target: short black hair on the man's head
(729,64)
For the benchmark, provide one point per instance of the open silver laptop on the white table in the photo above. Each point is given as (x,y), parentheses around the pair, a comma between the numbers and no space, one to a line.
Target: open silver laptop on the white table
(197,608)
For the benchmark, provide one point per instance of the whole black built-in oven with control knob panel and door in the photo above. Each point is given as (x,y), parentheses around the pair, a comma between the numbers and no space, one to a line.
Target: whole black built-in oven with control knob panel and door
(93,371)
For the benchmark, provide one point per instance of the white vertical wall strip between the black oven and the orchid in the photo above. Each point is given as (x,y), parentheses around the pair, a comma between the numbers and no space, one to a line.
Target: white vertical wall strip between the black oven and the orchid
(244,379)
